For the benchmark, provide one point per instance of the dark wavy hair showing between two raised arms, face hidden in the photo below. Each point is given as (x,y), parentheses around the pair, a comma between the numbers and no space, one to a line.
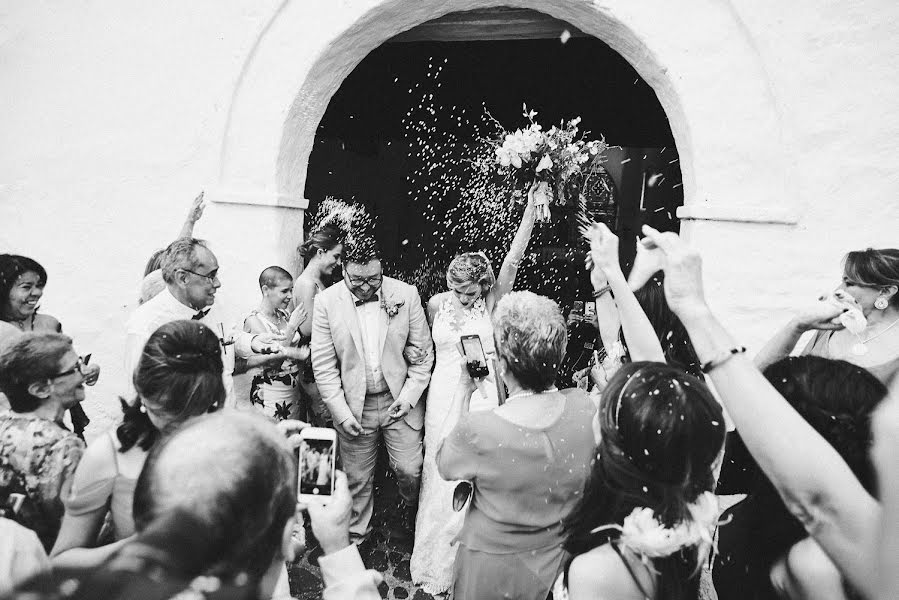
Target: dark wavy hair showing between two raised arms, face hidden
(672,335)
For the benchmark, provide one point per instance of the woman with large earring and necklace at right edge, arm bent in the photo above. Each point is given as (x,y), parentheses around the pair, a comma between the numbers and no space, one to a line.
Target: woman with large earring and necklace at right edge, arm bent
(870,283)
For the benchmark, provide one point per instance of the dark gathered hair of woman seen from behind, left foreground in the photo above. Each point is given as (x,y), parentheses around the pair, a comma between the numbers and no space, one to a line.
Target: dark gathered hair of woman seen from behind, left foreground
(179,375)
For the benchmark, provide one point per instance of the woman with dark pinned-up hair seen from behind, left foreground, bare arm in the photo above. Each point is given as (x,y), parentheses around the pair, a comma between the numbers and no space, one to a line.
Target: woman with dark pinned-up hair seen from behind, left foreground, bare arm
(178,376)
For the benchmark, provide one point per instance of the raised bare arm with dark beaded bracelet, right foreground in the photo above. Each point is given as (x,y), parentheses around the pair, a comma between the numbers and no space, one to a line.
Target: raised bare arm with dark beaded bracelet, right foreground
(815,483)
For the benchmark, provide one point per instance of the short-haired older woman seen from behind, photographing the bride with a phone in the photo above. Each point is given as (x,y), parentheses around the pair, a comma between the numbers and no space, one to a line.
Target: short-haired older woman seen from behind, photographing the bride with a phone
(527,460)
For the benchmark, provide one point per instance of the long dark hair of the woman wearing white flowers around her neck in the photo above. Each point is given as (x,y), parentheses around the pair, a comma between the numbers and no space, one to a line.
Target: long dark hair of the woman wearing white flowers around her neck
(662,431)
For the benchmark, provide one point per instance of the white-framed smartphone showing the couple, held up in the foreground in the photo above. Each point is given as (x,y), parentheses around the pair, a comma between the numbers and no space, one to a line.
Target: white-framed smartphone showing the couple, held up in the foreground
(316,464)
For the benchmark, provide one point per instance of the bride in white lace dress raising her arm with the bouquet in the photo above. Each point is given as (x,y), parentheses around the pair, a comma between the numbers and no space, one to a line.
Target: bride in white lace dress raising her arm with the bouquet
(464,309)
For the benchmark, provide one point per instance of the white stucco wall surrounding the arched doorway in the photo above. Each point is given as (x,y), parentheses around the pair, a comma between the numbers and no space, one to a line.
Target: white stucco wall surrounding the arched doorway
(115,113)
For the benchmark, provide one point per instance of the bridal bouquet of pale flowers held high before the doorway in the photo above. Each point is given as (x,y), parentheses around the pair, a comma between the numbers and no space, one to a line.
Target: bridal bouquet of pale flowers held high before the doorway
(555,162)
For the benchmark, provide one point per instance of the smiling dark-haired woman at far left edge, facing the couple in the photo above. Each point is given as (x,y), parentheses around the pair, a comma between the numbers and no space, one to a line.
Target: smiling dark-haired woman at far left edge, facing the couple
(22,282)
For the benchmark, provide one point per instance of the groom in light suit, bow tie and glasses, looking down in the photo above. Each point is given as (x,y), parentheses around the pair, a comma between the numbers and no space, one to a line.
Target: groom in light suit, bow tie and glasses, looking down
(359,331)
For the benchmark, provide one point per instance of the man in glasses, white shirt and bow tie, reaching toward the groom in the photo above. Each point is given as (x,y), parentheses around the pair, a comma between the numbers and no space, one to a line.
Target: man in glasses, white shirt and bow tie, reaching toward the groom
(190,271)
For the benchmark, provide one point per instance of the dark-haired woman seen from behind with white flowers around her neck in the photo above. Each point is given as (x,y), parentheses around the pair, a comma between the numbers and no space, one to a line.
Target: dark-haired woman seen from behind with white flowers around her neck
(644,524)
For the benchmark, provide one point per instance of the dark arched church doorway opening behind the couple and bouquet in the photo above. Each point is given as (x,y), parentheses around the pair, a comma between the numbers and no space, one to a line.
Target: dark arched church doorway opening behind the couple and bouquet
(400,134)
